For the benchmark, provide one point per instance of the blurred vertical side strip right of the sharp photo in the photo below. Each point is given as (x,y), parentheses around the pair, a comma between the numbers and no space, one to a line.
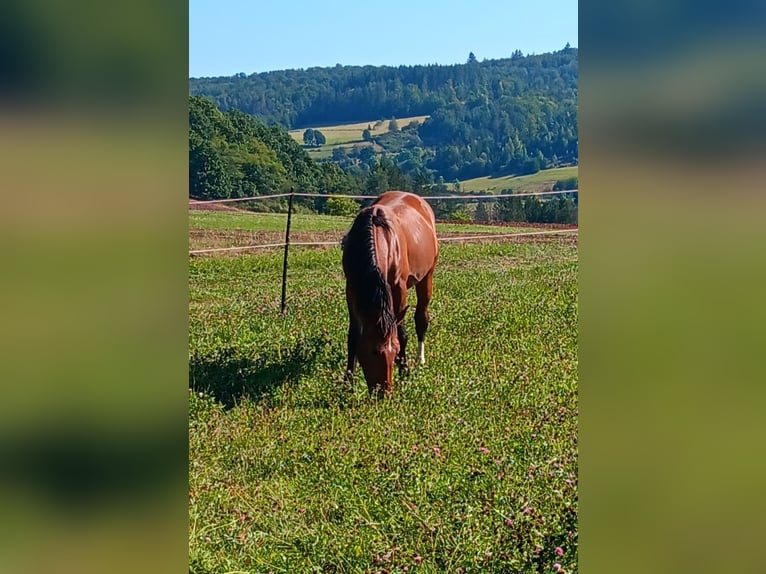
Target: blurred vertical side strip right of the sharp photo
(672,98)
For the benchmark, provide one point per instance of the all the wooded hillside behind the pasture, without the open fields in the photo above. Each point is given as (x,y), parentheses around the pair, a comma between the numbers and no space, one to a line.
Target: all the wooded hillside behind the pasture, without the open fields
(496,117)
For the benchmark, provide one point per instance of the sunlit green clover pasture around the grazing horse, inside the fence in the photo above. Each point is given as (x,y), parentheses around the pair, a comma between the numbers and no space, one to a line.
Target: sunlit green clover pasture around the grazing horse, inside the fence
(471,466)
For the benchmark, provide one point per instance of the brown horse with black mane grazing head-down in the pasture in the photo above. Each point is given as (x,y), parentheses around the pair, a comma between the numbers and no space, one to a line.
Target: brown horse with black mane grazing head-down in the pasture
(391,247)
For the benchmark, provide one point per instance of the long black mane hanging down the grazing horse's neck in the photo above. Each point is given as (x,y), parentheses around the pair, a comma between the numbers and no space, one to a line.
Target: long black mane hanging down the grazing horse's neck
(372,292)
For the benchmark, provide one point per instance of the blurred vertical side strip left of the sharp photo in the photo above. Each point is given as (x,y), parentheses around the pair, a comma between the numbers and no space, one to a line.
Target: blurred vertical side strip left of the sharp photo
(93,157)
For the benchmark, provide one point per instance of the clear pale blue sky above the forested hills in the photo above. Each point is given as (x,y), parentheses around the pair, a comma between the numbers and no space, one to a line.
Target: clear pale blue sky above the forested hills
(231,36)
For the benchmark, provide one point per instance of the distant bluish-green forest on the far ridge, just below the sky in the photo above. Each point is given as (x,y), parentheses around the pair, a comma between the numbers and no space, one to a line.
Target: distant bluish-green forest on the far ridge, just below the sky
(496,117)
